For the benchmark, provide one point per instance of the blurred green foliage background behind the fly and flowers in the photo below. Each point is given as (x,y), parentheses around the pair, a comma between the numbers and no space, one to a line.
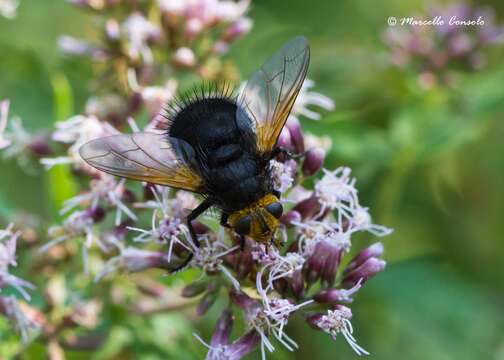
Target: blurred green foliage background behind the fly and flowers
(429,163)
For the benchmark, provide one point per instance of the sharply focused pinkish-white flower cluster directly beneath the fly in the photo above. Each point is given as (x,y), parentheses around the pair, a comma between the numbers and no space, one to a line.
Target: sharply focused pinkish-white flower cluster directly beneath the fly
(307,275)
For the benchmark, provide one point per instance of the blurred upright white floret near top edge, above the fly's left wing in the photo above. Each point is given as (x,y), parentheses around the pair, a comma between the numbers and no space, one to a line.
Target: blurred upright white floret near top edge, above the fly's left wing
(138,31)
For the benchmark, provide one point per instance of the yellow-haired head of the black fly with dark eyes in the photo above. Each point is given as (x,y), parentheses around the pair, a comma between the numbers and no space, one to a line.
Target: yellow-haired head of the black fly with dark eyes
(258,220)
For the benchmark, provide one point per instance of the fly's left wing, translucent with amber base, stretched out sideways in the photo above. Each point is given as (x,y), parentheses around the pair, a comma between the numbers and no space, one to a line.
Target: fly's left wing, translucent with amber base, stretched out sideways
(143,156)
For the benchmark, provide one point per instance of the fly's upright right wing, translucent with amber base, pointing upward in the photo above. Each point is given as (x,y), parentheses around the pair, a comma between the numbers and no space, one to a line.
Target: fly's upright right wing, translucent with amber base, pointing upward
(271,91)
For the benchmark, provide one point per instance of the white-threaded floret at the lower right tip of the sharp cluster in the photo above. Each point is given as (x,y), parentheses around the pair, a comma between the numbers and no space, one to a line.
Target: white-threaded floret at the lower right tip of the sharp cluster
(338,321)
